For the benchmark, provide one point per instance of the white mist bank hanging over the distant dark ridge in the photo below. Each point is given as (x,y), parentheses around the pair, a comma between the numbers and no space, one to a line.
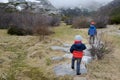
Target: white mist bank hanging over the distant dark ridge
(91,5)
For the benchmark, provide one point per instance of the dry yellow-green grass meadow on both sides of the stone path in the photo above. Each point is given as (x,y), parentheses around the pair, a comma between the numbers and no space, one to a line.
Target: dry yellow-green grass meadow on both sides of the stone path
(28,58)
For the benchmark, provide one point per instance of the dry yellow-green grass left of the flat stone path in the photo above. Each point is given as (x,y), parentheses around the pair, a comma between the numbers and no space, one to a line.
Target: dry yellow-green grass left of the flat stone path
(27,58)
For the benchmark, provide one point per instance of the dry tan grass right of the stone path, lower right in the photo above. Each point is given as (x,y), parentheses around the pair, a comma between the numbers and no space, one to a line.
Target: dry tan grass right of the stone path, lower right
(107,68)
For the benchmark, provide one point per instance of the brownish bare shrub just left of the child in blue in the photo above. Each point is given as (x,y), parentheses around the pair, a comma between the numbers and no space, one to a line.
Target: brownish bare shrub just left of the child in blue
(81,22)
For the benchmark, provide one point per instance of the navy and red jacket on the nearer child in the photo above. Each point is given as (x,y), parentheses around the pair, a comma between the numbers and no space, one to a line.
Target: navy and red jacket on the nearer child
(77,49)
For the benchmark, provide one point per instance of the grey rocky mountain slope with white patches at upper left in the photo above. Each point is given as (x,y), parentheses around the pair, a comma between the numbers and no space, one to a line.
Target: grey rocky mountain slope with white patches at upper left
(38,6)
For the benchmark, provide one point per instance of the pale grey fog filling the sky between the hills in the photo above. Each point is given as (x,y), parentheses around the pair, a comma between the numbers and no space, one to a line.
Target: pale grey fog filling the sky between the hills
(77,3)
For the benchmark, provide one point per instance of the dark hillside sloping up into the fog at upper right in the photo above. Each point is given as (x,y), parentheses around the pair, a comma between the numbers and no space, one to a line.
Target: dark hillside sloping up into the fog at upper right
(110,13)
